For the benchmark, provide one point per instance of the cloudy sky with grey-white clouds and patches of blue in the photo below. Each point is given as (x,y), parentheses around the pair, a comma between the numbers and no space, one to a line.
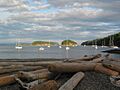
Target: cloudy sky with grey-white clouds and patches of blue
(56,20)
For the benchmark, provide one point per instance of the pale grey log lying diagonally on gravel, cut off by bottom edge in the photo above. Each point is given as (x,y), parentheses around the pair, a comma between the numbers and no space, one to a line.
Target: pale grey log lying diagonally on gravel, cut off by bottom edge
(72,83)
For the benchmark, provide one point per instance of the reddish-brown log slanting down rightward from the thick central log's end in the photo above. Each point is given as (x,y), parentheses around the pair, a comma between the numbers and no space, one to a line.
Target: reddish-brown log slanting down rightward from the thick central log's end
(100,68)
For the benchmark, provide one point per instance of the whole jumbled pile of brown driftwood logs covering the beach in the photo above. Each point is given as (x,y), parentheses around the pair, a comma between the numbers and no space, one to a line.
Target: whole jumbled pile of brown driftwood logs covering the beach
(43,75)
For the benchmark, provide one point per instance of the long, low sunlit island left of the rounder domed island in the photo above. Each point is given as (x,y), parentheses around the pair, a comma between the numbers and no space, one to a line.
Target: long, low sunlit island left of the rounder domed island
(44,43)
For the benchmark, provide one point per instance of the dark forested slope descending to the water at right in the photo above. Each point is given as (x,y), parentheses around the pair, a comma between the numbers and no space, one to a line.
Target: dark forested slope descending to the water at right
(105,41)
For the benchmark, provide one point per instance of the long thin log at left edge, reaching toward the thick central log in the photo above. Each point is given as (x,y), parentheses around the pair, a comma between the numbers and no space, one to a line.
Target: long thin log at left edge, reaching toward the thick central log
(26,68)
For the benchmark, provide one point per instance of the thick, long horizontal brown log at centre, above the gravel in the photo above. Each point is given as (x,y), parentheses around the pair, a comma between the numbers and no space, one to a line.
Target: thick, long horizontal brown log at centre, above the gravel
(71,67)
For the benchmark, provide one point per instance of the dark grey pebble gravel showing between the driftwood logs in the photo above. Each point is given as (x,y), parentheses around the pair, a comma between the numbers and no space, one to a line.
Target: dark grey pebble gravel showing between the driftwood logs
(91,81)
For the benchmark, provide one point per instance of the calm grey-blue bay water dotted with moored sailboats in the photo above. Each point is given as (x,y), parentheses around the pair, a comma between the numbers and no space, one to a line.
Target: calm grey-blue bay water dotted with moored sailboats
(9,52)
